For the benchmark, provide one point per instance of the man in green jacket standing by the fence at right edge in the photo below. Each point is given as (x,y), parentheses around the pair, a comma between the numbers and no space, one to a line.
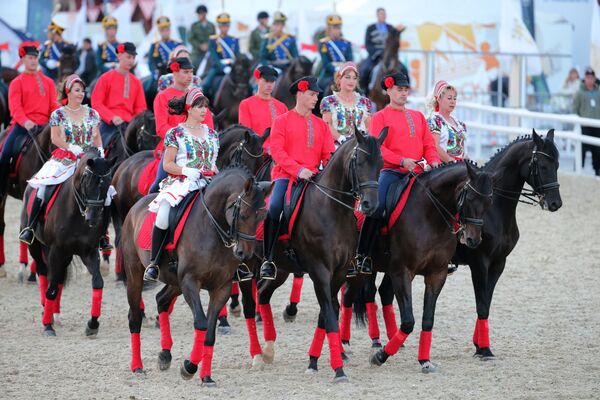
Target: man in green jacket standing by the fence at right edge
(586,103)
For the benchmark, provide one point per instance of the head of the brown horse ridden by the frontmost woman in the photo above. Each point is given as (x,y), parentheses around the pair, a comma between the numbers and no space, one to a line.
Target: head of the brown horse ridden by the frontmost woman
(245,207)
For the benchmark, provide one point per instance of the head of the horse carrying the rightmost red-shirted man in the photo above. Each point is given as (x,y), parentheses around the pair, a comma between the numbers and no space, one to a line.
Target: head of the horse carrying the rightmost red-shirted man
(474,198)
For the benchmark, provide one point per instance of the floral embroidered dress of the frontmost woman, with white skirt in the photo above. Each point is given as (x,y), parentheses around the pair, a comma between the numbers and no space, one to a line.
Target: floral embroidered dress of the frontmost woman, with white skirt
(192,152)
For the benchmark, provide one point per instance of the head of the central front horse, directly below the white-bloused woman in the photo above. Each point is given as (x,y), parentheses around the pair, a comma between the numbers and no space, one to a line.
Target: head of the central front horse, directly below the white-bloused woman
(364,165)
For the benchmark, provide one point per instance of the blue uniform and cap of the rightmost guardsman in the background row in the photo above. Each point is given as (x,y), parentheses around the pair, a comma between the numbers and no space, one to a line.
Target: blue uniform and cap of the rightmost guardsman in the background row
(334,52)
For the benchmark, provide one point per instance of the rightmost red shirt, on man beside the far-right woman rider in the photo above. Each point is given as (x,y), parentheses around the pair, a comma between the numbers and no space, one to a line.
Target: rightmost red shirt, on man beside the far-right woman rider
(400,143)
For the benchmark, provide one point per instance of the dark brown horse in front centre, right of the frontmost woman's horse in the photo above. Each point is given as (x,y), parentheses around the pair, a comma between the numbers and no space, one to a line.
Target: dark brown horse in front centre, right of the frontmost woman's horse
(315,248)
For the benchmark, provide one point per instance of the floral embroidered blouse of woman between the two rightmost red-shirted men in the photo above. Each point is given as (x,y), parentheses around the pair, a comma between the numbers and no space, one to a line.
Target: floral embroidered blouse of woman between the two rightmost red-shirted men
(343,117)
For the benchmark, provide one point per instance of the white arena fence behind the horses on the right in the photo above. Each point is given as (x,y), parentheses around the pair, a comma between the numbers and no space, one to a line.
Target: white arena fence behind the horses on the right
(490,128)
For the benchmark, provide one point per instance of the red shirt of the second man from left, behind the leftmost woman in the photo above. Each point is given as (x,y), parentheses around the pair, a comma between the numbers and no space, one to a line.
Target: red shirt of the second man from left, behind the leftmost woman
(111,96)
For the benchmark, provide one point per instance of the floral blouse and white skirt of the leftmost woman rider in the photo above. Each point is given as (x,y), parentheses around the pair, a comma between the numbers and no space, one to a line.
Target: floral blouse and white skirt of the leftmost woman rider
(62,164)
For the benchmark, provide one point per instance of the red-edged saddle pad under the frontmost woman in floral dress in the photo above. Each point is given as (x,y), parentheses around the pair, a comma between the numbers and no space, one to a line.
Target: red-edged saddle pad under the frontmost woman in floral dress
(177,218)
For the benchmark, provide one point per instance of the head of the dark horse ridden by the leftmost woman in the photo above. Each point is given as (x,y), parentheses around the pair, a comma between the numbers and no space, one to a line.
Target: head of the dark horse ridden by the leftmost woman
(92,180)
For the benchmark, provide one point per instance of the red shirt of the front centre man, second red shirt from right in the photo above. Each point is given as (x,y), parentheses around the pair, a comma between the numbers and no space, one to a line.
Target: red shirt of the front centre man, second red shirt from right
(293,147)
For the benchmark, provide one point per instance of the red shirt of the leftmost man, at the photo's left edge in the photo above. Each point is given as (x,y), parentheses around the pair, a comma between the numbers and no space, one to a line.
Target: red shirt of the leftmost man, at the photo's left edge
(32,97)
